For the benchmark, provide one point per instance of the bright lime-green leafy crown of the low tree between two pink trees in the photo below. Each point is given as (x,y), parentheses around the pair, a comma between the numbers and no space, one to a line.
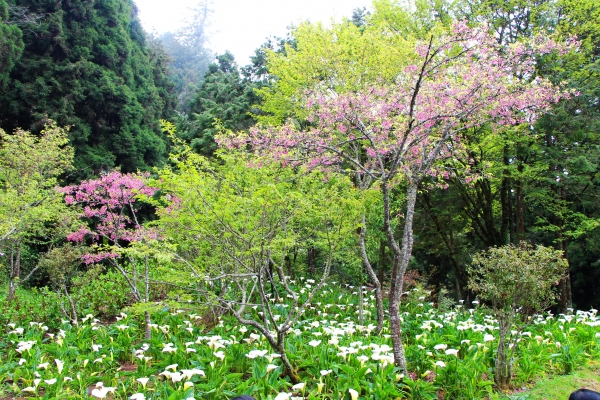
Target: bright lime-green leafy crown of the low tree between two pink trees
(229,216)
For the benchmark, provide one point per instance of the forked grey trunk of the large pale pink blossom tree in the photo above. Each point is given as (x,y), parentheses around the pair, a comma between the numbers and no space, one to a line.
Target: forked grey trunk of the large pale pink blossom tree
(401,260)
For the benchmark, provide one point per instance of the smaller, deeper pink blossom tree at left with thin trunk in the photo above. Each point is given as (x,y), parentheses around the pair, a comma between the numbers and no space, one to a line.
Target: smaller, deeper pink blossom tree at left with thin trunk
(110,204)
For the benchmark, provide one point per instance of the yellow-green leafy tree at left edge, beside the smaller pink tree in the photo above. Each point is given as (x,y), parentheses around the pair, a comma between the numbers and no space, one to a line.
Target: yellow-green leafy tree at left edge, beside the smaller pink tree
(32,211)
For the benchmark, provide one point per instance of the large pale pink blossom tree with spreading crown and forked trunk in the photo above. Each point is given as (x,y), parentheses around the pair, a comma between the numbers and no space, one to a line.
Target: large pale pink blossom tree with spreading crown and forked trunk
(411,130)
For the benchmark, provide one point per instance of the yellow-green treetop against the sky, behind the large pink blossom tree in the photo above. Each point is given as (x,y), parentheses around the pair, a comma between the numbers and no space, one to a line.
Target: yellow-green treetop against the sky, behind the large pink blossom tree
(342,58)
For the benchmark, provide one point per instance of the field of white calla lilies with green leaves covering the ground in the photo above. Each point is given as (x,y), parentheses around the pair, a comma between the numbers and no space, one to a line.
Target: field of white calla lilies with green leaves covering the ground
(450,354)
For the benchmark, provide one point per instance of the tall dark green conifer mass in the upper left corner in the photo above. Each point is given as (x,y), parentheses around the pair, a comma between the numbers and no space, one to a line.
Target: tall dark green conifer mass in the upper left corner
(86,64)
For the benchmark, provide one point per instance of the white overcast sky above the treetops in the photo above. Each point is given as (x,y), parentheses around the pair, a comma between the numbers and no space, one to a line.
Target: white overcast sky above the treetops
(241,26)
